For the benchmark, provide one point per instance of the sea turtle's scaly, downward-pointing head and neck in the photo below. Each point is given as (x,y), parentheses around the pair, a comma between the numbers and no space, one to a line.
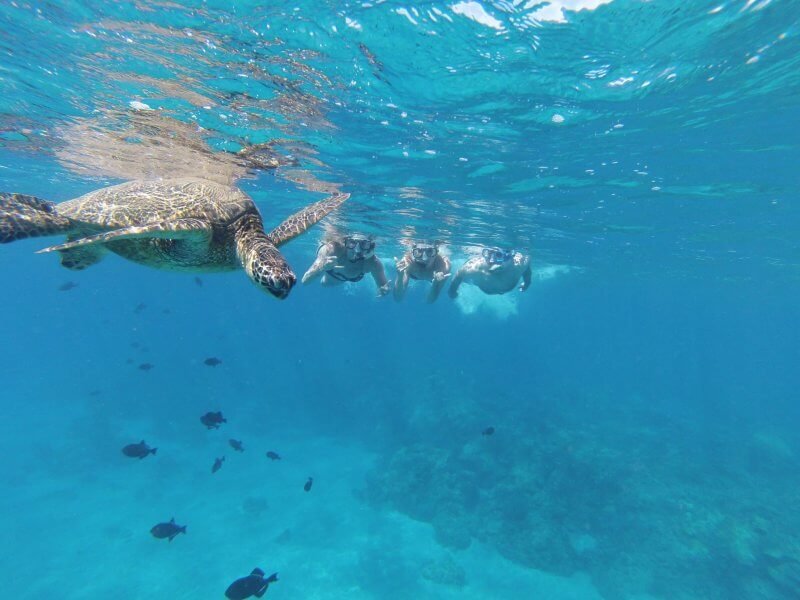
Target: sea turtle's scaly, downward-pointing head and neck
(264,263)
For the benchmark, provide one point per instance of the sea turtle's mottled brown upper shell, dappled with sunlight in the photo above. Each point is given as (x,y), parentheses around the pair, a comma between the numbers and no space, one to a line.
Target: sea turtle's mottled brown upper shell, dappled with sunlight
(141,202)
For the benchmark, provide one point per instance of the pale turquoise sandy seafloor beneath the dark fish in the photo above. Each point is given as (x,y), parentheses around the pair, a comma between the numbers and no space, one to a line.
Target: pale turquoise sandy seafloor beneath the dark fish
(89,539)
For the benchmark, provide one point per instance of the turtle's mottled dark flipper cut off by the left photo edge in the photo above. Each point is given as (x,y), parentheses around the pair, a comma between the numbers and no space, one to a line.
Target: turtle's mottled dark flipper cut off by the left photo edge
(24,216)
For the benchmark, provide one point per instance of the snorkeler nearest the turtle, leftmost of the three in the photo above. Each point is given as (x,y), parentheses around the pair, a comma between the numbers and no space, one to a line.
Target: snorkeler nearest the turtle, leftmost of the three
(348,259)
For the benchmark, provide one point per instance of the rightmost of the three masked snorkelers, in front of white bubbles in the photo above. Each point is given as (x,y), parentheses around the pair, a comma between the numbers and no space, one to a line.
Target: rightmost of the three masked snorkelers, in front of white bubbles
(495,271)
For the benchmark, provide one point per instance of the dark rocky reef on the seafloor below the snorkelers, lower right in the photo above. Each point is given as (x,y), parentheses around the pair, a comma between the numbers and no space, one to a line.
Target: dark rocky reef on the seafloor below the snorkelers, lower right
(644,504)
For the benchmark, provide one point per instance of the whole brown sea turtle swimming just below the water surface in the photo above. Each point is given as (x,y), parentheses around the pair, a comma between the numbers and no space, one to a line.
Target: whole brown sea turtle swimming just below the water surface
(184,224)
